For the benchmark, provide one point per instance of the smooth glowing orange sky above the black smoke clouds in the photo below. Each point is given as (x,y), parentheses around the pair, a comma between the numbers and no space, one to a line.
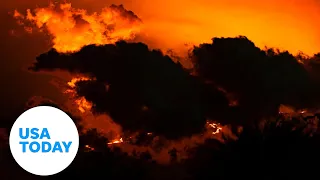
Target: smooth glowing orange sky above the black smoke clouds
(288,24)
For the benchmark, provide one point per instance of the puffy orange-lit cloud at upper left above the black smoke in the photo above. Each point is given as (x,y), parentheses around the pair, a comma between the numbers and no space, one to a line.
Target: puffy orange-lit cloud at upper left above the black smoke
(72,28)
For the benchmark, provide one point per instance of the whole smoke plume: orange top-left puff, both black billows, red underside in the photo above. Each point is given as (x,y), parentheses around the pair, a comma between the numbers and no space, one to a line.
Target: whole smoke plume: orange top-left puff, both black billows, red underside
(149,101)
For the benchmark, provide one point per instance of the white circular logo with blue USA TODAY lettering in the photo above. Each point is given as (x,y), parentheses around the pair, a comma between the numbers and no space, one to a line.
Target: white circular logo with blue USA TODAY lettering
(44,140)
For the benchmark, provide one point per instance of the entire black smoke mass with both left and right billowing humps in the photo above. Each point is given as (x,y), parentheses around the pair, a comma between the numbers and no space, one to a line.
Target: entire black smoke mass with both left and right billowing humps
(144,89)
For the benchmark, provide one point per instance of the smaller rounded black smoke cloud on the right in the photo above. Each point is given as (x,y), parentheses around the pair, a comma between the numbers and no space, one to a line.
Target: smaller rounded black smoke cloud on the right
(260,79)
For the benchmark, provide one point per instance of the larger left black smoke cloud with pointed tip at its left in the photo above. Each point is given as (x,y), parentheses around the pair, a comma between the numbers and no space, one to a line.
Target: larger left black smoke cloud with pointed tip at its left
(139,88)
